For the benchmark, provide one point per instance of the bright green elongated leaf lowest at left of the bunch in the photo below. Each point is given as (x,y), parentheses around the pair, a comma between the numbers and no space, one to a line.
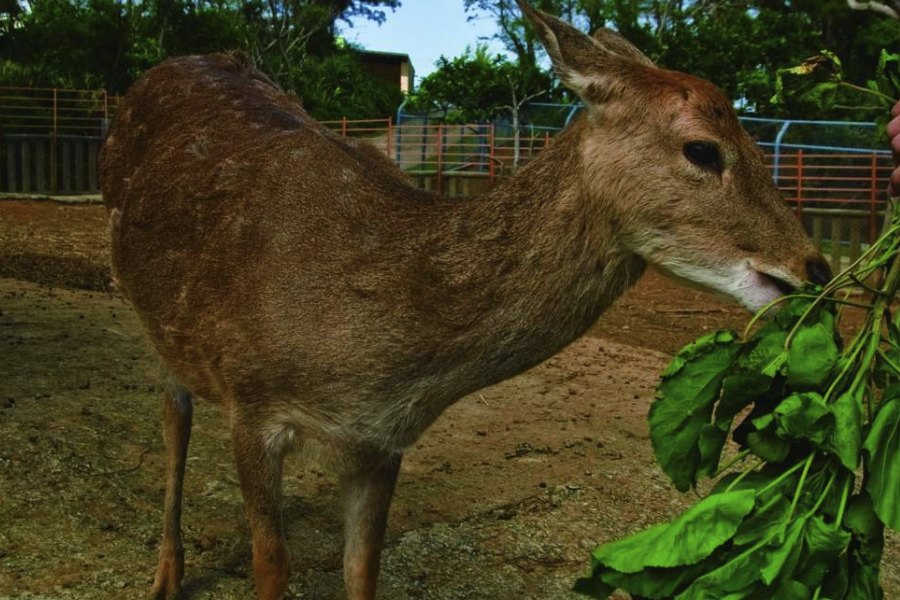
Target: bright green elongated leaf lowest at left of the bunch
(688,539)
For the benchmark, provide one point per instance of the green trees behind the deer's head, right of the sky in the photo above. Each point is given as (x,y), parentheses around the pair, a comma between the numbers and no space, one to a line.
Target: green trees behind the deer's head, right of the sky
(748,37)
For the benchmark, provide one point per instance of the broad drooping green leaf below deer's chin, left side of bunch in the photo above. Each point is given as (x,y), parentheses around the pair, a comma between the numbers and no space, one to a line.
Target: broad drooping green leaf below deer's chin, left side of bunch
(684,404)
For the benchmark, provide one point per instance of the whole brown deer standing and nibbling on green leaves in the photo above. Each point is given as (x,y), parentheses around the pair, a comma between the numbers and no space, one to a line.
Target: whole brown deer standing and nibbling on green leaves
(300,280)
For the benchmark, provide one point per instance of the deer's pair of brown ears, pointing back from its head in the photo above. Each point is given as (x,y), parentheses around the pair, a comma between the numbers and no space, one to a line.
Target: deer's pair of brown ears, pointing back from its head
(589,66)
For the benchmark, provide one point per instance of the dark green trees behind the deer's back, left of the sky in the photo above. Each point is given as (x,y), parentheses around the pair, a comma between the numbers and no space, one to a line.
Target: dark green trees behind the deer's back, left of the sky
(92,44)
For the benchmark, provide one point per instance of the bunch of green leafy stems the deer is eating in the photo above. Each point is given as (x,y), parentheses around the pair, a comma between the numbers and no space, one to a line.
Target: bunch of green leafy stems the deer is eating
(801,509)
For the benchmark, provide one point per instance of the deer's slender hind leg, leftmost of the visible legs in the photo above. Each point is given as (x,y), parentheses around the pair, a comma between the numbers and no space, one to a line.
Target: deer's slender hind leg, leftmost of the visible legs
(177,414)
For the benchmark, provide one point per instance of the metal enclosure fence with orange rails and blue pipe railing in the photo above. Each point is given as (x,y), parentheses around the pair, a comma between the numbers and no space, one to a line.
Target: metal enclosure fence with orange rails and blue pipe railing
(834,175)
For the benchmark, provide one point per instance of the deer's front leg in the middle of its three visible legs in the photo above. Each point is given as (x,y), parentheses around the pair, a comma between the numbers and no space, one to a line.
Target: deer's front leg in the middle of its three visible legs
(259,465)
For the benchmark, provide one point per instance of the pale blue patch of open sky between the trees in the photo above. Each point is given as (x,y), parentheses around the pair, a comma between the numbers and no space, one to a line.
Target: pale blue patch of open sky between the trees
(424,29)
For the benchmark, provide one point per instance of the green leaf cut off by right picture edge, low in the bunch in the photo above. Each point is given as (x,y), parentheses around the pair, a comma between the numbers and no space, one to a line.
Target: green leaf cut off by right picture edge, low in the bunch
(882,446)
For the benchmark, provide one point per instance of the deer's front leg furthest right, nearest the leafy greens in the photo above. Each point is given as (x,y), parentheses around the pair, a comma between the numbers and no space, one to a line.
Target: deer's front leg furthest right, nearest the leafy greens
(367,498)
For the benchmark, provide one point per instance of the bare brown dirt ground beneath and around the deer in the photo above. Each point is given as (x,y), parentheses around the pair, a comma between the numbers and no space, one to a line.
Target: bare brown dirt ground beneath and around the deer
(503,498)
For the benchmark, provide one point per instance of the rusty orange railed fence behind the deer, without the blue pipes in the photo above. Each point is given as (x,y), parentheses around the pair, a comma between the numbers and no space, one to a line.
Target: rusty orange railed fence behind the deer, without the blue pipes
(50,138)
